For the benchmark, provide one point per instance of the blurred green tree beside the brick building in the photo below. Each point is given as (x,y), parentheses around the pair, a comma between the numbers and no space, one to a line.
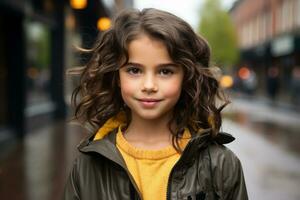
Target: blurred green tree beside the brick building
(216,26)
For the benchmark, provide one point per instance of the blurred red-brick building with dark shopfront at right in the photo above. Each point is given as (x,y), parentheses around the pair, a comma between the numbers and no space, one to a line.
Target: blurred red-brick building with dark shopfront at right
(269,37)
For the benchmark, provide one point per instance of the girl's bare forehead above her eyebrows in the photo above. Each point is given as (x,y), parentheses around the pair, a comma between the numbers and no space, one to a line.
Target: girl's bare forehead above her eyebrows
(145,47)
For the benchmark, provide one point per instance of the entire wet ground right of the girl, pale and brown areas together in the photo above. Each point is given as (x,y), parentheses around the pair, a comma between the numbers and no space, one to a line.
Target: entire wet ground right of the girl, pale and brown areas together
(267,143)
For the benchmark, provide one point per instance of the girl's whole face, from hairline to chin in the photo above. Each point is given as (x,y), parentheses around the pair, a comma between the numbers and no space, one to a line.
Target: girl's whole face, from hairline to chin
(150,82)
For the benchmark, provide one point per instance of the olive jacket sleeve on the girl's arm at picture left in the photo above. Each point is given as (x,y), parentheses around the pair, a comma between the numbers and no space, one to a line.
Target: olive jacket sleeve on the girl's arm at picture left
(71,188)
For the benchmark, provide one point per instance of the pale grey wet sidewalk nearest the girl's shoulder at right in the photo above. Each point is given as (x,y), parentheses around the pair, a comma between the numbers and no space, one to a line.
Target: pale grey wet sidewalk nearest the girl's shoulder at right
(271,173)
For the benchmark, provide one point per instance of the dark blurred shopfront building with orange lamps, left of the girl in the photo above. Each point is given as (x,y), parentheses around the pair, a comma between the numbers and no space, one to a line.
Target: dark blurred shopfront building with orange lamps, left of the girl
(36,39)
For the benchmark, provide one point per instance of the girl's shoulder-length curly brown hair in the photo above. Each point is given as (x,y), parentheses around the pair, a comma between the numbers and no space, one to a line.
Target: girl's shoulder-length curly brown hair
(99,93)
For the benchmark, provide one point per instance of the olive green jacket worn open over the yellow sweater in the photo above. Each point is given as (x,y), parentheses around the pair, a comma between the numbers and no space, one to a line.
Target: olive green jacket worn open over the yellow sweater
(206,170)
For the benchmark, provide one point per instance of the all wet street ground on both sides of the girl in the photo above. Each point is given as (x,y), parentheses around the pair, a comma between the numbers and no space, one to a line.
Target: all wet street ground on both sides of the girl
(267,143)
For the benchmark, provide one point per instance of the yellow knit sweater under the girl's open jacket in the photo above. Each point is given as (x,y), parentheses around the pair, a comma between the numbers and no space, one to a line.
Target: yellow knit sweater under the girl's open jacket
(150,168)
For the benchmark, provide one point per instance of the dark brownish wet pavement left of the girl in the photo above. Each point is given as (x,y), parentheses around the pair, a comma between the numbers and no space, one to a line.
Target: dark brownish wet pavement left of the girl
(37,167)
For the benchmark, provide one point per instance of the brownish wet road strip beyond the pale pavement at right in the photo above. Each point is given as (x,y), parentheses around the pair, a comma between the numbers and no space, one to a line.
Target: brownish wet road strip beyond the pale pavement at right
(279,126)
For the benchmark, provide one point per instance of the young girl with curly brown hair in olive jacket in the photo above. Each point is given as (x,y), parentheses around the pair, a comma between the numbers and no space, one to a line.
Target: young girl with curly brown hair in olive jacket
(149,92)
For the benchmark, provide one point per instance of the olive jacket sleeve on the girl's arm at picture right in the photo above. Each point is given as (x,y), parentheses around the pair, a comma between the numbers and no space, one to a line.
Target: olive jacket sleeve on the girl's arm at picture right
(237,189)
